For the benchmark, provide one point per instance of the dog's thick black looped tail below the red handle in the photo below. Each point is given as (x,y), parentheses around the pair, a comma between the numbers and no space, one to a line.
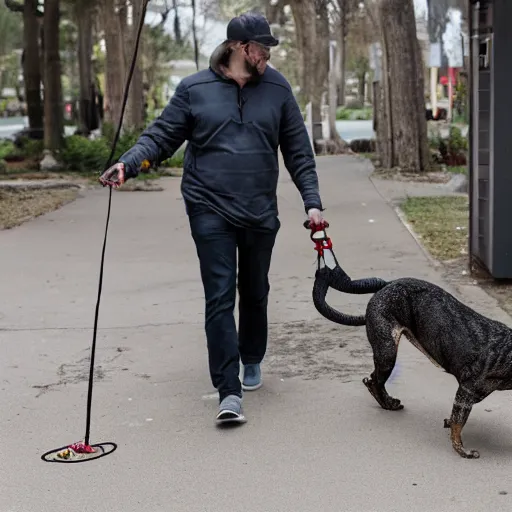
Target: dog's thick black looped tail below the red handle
(337,278)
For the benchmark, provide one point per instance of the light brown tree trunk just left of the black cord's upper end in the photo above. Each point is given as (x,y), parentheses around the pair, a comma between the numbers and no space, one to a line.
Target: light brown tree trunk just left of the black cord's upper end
(115,62)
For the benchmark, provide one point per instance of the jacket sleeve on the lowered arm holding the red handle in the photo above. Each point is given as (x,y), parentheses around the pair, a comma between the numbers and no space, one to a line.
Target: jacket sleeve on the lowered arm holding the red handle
(298,154)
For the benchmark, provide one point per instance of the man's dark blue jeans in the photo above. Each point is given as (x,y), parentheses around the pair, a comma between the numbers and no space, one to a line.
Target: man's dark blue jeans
(217,242)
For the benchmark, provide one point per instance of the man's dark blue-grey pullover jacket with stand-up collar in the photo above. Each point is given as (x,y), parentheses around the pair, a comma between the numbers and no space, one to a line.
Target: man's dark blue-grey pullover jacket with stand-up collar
(231,159)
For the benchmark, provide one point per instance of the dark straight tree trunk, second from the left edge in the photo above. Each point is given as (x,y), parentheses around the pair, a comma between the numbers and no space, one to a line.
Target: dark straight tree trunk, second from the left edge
(53,107)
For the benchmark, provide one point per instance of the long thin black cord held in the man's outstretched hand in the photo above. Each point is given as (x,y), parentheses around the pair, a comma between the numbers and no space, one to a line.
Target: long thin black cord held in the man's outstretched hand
(109,163)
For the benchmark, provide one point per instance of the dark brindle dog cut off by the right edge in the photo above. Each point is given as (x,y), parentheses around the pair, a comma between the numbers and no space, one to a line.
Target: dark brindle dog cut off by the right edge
(476,350)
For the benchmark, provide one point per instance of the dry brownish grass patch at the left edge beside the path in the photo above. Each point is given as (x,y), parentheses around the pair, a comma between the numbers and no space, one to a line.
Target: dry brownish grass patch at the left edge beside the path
(19,206)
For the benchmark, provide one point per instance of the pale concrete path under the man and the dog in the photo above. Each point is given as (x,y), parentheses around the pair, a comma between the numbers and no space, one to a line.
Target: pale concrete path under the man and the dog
(315,440)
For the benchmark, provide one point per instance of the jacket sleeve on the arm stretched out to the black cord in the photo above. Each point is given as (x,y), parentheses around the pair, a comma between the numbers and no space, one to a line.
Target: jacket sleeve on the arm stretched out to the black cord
(164,136)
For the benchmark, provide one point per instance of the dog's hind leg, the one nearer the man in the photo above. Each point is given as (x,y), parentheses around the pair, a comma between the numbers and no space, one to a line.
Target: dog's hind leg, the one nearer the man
(384,341)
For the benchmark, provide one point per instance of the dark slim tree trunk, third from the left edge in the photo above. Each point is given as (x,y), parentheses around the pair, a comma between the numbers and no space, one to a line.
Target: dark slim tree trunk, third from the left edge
(85,46)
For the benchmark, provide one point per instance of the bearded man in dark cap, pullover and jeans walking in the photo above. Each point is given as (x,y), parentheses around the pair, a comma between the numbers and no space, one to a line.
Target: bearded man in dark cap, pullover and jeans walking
(234,116)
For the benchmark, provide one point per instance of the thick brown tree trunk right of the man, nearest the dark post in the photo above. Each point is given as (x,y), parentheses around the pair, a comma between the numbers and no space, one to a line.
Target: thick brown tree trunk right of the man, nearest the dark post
(404,88)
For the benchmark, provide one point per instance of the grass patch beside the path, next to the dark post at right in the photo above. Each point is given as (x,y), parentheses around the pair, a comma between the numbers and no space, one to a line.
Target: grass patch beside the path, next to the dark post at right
(441,223)
